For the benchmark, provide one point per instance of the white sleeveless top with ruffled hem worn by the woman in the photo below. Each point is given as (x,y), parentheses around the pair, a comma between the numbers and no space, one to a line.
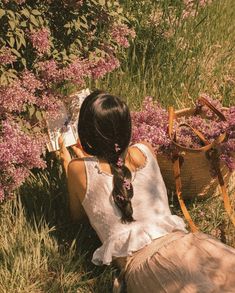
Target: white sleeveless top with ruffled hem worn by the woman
(151,211)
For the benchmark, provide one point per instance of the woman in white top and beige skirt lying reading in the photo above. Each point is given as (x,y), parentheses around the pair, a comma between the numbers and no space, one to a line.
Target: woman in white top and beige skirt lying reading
(121,189)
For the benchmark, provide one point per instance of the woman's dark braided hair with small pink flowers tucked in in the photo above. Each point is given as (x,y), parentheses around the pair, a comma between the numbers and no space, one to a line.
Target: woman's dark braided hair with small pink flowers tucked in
(104,129)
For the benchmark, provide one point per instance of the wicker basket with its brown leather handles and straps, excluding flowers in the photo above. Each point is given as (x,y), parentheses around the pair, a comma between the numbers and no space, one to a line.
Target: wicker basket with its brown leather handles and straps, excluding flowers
(188,171)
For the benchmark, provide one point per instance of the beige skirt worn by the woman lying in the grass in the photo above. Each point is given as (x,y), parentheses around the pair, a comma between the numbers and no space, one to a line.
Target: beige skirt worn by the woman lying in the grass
(180,262)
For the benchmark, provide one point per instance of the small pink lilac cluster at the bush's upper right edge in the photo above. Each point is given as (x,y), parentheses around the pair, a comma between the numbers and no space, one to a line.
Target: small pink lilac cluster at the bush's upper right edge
(121,33)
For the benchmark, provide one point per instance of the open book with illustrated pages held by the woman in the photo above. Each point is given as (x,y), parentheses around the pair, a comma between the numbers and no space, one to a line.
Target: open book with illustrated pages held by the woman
(66,123)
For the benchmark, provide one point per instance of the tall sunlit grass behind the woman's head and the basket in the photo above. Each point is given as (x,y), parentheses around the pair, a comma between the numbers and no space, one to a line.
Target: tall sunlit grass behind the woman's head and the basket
(175,60)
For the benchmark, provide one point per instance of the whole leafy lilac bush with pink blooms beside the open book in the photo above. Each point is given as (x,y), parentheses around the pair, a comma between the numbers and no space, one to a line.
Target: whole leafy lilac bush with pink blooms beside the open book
(47,48)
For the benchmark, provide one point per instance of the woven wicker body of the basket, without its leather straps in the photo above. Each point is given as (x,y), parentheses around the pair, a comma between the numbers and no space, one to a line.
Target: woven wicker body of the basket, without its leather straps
(195,171)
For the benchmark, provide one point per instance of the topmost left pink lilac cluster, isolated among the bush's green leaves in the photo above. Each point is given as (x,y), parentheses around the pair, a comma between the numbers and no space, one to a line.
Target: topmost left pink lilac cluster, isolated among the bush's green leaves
(40,39)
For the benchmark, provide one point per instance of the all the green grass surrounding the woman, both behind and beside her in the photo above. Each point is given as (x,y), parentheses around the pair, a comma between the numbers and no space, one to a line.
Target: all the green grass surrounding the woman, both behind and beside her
(173,60)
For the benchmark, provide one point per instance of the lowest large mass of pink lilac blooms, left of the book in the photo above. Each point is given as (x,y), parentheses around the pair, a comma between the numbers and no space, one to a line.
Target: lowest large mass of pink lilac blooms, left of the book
(19,152)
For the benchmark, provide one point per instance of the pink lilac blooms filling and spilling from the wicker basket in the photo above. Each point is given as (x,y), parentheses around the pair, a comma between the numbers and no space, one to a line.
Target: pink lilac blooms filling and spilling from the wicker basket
(151,124)
